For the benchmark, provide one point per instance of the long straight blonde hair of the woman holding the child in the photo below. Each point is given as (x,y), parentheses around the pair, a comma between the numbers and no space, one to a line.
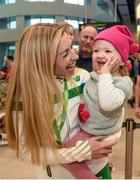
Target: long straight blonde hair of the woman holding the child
(33,81)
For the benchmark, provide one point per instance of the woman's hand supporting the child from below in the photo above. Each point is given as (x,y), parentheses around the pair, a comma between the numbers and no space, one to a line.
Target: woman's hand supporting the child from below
(100,147)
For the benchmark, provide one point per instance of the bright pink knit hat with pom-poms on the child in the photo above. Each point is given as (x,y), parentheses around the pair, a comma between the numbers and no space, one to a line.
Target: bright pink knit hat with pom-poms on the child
(122,39)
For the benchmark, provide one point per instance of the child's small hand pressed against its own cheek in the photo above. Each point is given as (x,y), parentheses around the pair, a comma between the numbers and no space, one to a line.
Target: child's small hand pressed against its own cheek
(111,66)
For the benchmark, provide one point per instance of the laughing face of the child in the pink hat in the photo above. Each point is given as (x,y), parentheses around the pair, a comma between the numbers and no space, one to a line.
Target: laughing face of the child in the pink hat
(102,52)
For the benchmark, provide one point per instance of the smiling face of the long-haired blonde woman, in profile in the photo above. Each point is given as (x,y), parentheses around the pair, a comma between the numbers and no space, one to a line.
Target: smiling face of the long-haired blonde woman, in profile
(66,58)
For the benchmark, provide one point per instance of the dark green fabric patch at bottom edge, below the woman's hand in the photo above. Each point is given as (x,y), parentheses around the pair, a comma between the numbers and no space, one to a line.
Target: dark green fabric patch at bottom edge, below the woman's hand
(105,173)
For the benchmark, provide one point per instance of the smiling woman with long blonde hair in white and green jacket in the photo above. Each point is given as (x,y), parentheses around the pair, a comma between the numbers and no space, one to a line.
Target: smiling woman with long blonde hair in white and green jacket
(42,101)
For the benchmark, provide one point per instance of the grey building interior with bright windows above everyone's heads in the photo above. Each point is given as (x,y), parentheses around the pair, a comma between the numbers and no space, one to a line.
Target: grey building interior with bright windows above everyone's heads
(15,15)
